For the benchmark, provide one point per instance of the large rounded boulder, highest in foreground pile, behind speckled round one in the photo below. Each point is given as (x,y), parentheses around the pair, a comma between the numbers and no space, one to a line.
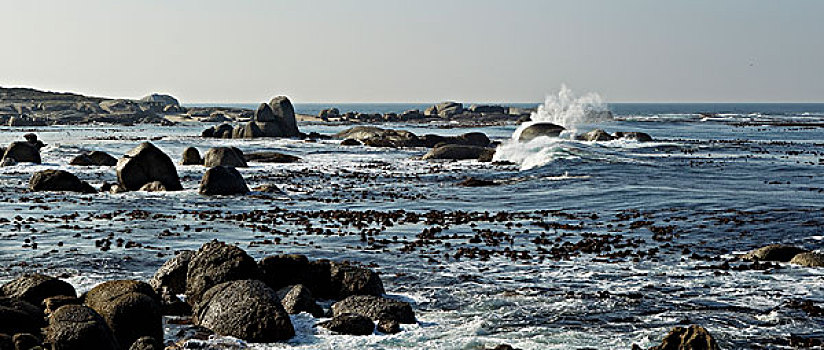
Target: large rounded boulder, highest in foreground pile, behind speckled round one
(215,263)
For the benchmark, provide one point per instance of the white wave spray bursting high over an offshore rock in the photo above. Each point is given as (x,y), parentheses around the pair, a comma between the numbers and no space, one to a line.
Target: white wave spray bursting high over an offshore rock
(564,109)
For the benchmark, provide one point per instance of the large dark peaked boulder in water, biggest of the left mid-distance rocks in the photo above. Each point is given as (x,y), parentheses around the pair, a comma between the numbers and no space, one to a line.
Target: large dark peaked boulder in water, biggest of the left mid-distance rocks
(146,163)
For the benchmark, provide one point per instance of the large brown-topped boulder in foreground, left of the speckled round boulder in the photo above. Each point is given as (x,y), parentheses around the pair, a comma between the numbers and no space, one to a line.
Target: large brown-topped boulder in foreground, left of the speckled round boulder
(130,308)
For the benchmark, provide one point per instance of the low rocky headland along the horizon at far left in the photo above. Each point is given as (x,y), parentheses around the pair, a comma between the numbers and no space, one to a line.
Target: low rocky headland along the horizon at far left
(29,107)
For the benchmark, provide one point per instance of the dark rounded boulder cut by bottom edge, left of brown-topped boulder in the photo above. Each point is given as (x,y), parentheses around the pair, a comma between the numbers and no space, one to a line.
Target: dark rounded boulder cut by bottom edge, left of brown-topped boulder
(76,327)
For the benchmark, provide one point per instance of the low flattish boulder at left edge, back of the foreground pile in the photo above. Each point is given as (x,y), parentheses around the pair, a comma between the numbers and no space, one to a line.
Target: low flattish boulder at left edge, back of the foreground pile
(35,288)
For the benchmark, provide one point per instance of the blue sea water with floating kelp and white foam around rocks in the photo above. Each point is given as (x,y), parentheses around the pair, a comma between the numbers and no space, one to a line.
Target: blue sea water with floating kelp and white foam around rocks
(706,188)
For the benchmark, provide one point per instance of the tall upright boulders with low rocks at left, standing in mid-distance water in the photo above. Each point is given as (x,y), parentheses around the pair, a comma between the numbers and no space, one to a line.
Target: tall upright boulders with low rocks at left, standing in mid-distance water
(273,119)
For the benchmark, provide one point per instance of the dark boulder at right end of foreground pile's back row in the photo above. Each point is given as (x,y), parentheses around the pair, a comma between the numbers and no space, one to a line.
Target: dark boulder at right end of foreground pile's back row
(353,280)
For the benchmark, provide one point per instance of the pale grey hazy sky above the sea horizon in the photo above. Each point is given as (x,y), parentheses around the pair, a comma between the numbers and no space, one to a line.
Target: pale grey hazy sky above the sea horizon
(417,51)
